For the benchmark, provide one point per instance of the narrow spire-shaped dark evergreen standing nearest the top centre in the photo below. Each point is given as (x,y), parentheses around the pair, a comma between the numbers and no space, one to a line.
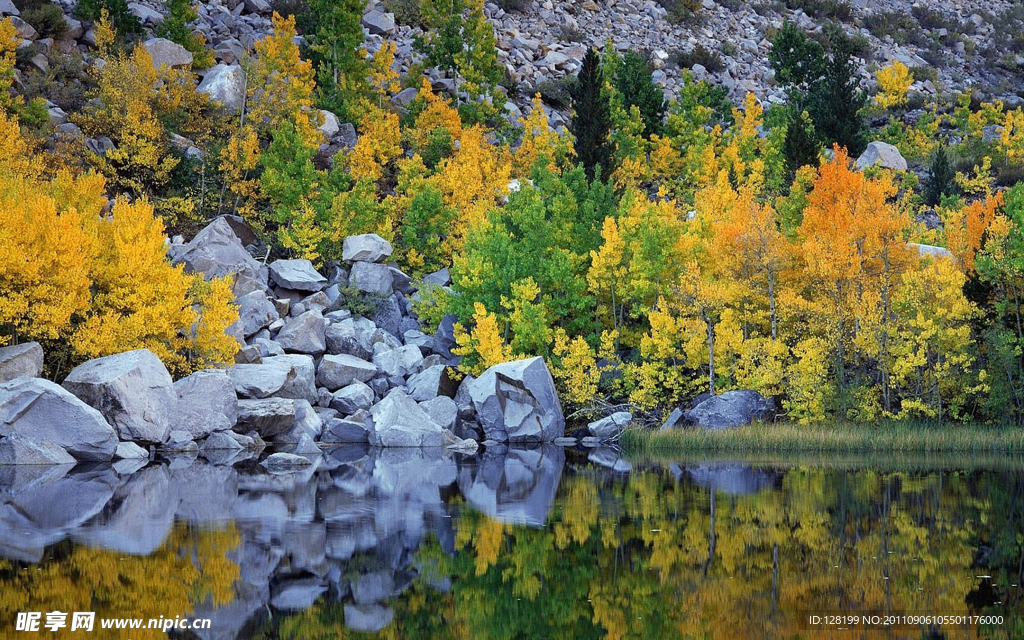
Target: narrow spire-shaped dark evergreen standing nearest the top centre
(592,118)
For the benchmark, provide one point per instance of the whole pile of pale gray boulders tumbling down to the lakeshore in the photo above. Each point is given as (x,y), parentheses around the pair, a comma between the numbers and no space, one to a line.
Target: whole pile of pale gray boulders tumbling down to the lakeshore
(309,372)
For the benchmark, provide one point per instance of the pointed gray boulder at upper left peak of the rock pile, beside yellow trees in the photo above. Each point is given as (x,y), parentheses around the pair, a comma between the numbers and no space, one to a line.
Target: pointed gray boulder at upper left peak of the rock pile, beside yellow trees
(218,252)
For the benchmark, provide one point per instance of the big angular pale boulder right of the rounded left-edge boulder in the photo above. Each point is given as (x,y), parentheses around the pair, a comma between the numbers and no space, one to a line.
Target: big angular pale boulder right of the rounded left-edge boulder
(134,391)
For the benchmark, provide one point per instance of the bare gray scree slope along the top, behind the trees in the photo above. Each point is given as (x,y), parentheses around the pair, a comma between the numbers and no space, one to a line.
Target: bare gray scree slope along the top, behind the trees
(952,45)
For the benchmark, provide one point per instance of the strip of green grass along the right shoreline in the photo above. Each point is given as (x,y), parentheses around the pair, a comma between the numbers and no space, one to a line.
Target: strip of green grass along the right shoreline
(845,438)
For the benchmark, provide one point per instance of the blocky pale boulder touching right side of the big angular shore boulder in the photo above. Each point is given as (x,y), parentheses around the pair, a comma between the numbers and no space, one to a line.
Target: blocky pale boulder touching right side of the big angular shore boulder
(207,403)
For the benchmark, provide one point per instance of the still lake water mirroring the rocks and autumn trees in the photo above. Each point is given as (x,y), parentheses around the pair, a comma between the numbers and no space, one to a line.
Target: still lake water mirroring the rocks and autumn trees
(518,544)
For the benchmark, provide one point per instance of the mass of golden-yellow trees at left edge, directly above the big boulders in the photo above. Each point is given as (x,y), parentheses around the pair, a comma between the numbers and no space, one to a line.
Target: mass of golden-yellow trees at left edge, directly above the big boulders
(102,284)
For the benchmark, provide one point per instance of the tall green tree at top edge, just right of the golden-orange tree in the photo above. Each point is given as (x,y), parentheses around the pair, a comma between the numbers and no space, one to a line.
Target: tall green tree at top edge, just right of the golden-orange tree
(339,56)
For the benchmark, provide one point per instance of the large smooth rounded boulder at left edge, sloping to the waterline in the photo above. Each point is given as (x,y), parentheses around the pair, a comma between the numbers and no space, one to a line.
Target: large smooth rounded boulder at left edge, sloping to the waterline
(42,411)
